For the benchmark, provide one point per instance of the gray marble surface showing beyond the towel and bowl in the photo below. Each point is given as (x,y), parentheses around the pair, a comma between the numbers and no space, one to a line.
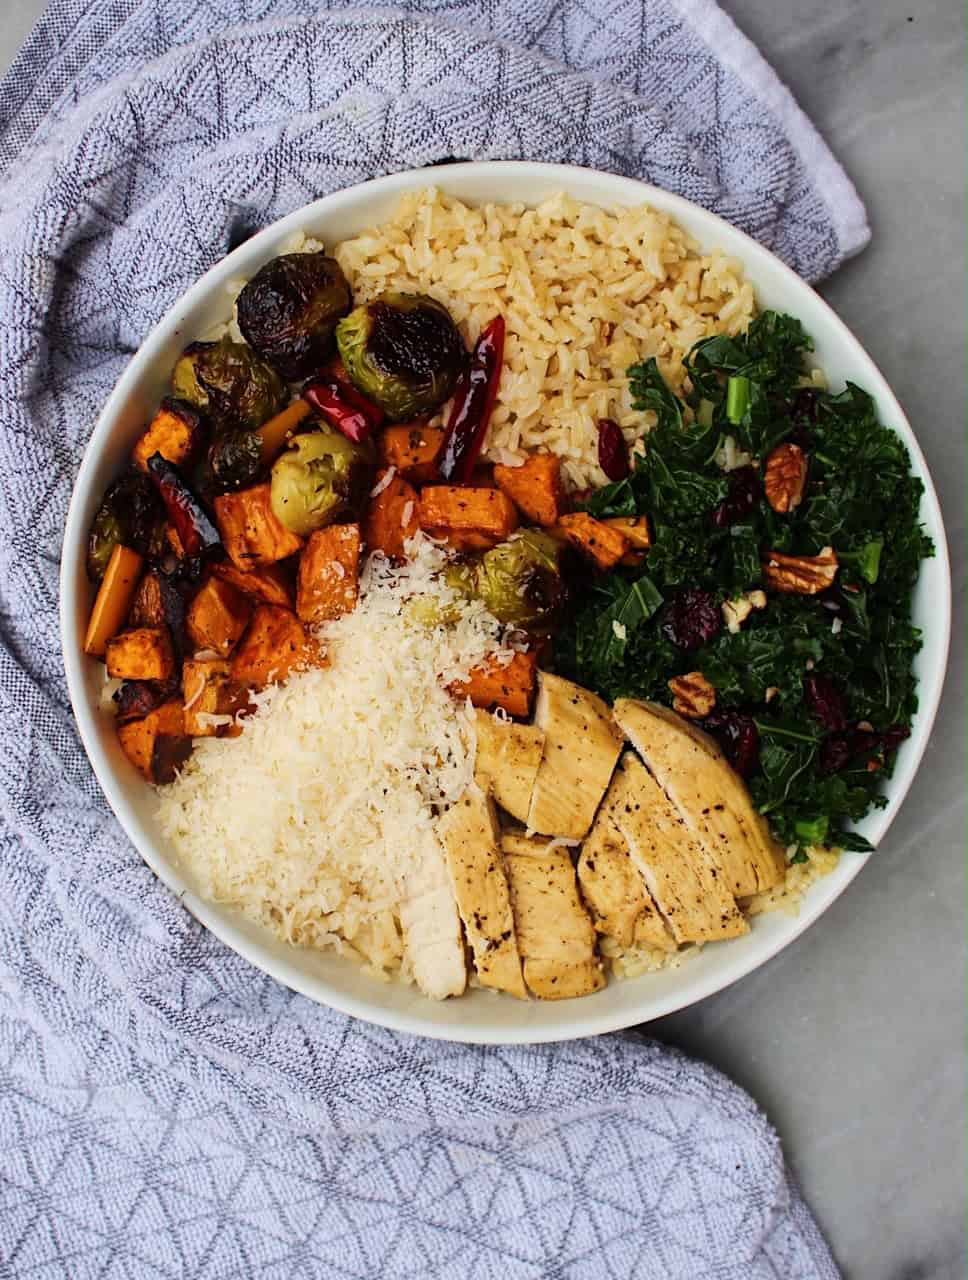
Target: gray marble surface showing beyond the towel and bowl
(855,1039)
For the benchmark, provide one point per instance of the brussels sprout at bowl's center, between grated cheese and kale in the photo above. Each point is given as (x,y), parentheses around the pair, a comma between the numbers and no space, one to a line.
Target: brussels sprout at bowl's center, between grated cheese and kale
(520,582)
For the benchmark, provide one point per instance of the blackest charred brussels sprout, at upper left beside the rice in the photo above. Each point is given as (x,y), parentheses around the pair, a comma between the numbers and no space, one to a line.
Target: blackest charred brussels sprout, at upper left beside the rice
(290,309)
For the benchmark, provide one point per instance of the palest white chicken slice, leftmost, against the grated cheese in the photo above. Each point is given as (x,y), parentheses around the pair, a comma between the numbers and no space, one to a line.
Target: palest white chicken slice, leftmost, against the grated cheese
(432,925)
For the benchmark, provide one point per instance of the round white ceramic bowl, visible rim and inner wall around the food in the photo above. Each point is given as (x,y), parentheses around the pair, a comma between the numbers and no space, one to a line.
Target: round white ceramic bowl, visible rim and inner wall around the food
(481,1017)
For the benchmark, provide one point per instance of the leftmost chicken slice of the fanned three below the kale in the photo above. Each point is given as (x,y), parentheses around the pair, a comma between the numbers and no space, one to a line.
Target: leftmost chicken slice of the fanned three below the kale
(615,892)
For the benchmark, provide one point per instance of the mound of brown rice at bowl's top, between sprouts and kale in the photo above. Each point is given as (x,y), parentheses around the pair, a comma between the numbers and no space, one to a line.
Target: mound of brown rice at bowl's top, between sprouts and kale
(585,294)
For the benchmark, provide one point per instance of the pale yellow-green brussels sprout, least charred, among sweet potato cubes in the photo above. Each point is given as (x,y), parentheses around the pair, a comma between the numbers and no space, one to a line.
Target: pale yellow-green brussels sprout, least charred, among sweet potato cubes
(317,479)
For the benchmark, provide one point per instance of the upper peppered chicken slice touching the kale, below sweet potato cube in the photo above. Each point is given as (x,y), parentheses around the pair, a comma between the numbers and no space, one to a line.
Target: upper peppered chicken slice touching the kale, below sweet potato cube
(582,746)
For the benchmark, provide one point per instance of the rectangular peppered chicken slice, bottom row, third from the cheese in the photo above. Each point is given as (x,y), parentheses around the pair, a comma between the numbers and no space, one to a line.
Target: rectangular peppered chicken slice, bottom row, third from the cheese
(555,935)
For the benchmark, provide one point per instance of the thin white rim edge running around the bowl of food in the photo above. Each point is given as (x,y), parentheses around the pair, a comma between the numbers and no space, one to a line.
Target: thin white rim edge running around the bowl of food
(617,189)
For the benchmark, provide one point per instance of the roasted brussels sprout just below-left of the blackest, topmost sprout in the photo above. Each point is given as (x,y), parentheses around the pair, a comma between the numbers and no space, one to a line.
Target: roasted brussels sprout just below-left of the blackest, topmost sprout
(239,390)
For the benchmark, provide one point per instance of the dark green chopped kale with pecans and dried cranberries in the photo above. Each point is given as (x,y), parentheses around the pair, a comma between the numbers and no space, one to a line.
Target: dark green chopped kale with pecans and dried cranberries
(711,531)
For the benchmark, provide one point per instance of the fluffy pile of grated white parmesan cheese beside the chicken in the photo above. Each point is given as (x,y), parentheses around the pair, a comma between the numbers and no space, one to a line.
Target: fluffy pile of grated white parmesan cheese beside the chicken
(318,820)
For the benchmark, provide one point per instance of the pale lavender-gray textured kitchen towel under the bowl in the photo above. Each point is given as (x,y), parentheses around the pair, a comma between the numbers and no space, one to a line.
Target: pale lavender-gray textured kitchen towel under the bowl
(166,1110)
